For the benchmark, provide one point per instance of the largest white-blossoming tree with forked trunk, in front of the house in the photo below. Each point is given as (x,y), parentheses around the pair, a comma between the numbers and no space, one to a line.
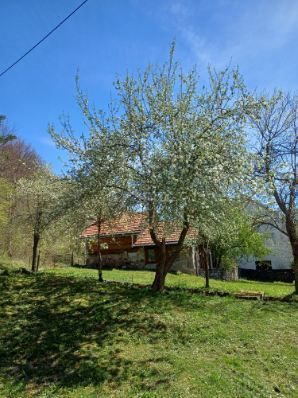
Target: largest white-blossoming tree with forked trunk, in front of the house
(175,148)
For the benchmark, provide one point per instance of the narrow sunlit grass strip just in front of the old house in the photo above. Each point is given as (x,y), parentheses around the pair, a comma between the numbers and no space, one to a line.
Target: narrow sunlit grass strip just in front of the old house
(277,289)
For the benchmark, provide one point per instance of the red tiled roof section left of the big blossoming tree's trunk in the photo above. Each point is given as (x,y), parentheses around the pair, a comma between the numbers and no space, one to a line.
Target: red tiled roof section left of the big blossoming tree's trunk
(127,223)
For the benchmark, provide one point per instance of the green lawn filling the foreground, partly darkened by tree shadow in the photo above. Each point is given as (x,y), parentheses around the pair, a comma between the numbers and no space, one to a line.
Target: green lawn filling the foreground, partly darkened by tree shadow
(62,334)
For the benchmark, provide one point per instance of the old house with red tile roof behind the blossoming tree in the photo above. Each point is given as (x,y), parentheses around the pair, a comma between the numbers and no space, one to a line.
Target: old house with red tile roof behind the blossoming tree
(126,243)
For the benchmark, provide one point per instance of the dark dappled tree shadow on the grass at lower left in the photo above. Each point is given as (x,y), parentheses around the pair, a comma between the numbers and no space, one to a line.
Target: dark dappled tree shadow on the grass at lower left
(67,332)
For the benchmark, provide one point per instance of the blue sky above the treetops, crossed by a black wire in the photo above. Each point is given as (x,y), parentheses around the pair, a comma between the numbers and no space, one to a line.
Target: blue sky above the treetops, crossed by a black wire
(109,37)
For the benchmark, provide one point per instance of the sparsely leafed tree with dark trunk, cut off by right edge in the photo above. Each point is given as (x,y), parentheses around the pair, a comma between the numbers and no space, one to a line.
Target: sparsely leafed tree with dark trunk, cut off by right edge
(276,127)
